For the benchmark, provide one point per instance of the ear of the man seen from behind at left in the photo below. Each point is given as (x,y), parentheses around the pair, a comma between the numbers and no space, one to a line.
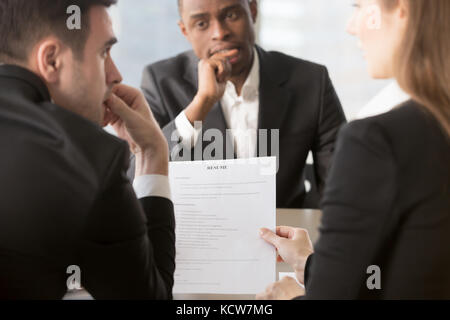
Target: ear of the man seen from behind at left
(49,59)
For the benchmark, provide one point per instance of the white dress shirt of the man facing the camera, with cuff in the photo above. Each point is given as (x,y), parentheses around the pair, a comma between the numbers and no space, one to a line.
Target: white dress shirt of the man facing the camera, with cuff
(240,112)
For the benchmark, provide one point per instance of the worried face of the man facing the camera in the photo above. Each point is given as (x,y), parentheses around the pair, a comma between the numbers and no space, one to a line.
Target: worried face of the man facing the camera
(213,26)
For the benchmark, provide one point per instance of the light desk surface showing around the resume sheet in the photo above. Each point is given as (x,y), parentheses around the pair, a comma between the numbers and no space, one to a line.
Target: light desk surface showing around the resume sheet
(306,219)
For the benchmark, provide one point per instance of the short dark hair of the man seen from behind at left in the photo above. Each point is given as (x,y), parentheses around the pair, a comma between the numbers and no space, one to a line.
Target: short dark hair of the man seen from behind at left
(24,22)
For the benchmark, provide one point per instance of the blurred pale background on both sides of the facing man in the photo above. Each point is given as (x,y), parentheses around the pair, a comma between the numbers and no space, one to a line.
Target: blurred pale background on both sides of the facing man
(309,29)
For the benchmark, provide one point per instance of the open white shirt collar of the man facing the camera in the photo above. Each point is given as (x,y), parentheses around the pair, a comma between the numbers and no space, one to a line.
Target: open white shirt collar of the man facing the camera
(250,89)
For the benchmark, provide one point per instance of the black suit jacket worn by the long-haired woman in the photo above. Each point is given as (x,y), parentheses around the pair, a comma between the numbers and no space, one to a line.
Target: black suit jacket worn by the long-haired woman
(387,203)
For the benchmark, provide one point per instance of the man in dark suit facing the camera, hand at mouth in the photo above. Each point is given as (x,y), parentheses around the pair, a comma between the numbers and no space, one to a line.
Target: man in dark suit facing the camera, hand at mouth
(227,82)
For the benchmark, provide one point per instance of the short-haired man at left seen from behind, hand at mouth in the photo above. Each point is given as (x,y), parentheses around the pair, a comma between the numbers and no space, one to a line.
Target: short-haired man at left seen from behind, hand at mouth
(68,213)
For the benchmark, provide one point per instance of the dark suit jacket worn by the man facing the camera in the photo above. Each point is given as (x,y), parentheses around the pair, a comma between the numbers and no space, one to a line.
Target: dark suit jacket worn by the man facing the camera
(296,97)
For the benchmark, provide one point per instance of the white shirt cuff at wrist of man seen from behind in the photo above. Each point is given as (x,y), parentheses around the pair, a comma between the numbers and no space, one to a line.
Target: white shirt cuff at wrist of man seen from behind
(152,186)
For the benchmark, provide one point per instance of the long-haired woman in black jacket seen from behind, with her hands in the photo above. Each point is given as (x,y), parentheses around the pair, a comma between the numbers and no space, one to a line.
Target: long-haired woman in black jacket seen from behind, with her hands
(385,231)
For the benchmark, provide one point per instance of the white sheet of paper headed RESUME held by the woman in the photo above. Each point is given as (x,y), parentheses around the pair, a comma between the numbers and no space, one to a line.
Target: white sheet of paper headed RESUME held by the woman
(219,208)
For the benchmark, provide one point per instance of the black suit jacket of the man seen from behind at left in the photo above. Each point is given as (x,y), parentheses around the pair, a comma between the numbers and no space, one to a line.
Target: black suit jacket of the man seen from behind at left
(66,200)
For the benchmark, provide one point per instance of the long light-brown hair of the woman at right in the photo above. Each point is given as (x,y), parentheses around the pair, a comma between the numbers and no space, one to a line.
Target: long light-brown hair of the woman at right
(423,63)
